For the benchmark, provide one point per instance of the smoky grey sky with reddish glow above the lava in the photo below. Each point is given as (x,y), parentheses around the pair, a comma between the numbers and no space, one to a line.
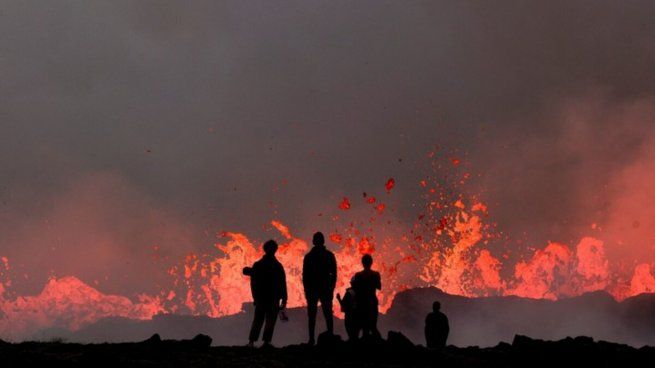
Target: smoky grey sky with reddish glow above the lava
(126,124)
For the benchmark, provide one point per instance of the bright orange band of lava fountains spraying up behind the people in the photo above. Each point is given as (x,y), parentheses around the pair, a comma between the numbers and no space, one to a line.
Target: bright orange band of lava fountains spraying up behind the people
(447,245)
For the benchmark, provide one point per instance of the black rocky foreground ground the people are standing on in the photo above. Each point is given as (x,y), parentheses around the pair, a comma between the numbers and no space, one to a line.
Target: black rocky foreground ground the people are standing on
(396,351)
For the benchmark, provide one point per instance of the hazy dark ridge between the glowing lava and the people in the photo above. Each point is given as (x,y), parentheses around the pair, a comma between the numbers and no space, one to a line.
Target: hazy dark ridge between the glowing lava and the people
(474,321)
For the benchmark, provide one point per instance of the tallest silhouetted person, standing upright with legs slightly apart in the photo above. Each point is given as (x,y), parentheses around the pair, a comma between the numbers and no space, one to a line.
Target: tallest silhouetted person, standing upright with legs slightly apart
(319,277)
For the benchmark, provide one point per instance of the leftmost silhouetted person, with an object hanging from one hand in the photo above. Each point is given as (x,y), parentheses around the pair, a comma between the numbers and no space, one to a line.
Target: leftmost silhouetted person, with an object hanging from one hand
(269,292)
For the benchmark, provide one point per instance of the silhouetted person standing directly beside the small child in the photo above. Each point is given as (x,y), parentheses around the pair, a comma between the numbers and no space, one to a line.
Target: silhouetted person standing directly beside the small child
(366,283)
